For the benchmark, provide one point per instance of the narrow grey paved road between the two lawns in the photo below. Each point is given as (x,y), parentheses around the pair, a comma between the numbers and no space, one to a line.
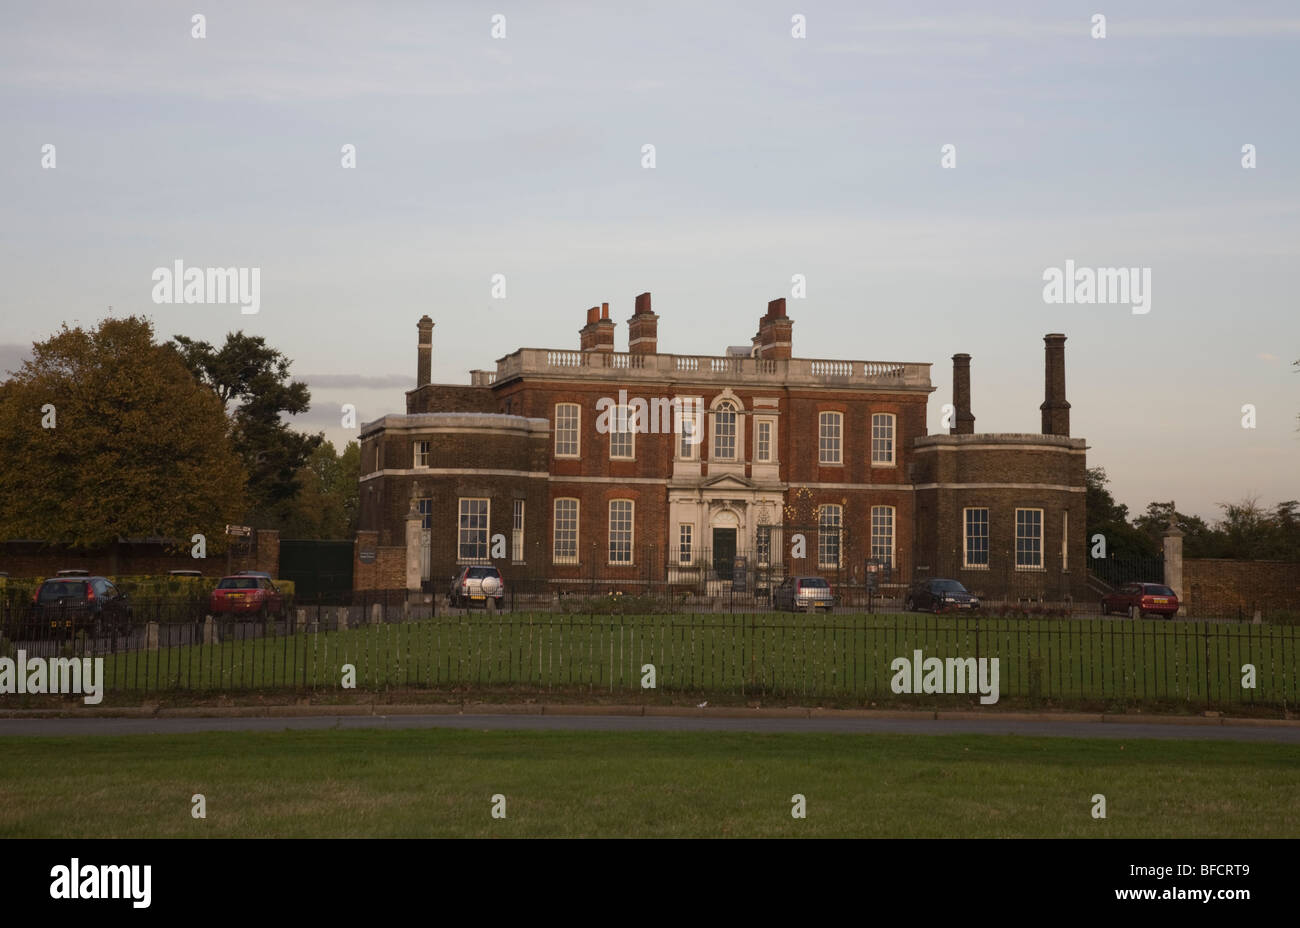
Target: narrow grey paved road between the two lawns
(534,723)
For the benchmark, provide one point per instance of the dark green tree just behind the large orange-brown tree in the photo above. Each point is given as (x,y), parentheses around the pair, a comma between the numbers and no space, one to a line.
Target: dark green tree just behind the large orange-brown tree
(253,383)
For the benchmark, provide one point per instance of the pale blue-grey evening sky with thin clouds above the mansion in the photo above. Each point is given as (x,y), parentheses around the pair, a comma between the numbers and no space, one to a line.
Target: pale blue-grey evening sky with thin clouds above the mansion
(774,157)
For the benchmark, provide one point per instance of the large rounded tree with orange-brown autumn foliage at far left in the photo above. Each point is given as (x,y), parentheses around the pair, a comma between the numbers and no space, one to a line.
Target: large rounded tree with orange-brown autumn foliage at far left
(106,436)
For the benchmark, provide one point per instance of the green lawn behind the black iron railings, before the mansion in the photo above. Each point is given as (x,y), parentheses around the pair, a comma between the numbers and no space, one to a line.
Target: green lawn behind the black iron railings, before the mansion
(844,657)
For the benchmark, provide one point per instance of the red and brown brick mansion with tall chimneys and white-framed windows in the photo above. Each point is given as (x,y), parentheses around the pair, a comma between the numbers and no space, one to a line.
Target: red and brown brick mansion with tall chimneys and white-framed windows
(521,469)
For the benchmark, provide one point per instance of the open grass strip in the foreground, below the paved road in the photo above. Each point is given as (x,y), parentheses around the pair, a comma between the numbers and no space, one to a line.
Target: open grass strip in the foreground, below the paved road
(441,783)
